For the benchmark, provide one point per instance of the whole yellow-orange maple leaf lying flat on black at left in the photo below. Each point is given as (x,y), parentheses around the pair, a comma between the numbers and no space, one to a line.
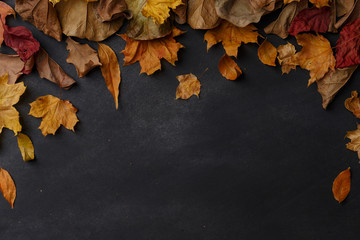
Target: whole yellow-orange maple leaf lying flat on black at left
(54,113)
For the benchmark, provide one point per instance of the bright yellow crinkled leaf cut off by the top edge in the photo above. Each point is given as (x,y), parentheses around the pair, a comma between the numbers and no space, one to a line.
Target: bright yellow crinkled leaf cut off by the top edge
(159,9)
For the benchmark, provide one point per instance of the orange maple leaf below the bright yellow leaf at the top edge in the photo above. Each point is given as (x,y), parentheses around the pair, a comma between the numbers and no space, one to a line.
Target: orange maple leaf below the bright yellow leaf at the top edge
(149,52)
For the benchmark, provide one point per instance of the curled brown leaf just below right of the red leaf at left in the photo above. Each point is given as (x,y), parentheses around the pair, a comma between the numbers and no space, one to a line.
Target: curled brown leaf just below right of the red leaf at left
(50,70)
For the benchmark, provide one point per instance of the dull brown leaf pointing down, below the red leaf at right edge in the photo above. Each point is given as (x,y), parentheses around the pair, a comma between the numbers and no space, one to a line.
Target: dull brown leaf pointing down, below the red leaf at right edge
(332,82)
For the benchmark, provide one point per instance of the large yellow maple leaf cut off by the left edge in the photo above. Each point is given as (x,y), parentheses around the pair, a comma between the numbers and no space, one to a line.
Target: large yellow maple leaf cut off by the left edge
(9,96)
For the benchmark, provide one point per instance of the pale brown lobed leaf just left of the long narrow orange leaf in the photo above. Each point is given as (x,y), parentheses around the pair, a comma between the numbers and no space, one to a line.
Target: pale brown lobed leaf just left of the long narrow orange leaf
(82,56)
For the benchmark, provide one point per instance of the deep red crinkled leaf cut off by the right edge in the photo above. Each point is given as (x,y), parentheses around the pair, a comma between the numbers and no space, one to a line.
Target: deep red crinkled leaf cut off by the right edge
(348,45)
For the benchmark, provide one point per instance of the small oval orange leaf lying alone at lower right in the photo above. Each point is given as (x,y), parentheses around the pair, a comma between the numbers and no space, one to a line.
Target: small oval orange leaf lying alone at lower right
(341,185)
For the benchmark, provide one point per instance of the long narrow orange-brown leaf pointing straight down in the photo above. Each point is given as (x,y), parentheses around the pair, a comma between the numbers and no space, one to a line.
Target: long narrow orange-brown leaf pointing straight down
(110,70)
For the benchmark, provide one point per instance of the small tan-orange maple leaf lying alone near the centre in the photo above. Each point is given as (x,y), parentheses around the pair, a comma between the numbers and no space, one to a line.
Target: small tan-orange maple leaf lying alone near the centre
(189,85)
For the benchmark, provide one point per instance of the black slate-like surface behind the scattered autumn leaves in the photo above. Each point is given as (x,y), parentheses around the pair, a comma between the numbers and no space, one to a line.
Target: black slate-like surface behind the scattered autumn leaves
(250,159)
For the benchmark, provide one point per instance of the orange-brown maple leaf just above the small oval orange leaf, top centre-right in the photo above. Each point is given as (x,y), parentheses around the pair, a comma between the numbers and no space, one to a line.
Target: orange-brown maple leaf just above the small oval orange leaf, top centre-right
(231,37)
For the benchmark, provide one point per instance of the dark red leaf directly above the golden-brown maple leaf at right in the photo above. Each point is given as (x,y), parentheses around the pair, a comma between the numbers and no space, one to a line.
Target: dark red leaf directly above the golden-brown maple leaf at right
(315,19)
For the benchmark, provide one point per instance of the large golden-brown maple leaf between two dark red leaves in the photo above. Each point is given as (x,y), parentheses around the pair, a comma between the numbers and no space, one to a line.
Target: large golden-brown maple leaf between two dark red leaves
(315,56)
